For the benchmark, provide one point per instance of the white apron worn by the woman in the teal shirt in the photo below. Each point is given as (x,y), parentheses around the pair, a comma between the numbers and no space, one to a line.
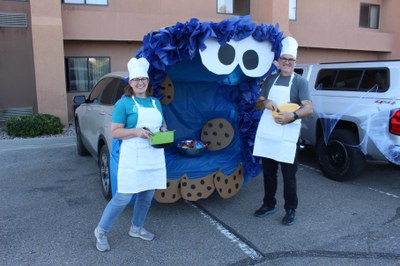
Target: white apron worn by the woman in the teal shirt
(141,167)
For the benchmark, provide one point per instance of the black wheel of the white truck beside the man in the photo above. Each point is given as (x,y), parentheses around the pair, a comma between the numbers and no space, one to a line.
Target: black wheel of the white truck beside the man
(340,159)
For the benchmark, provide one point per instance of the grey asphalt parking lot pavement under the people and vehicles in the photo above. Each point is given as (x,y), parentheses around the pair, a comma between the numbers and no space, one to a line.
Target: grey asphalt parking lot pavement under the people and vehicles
(51,203)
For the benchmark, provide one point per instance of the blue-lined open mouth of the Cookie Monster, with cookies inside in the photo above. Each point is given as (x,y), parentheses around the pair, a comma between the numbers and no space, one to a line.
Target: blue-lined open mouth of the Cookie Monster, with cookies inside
(197,109)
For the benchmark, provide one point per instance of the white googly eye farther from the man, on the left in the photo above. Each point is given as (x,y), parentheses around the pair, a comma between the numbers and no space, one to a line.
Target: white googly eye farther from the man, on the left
(217,59)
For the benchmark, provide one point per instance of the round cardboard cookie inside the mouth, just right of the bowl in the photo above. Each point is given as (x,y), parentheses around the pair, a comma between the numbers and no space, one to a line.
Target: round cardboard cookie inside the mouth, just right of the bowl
(218,132)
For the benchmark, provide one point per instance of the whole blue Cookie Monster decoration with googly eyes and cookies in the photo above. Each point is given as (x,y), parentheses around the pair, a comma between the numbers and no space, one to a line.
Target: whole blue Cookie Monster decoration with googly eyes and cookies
(207,76)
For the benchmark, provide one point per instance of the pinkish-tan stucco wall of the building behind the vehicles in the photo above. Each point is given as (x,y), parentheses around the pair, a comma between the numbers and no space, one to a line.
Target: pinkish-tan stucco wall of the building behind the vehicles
(32,59)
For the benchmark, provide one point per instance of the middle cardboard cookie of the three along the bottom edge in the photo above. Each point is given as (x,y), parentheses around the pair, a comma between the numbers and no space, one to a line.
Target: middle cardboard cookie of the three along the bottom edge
(199,188)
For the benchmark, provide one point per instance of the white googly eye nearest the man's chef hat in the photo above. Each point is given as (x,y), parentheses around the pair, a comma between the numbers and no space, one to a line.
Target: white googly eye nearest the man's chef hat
(255,58)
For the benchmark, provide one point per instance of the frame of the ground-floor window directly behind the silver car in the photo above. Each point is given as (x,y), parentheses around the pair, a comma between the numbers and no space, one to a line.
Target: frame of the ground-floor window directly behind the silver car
(90,82)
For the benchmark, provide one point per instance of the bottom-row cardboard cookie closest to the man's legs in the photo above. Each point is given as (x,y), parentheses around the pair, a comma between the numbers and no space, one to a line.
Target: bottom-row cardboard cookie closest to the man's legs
(229,185)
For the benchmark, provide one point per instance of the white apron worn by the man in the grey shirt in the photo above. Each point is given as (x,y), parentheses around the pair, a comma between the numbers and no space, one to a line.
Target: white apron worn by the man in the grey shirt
(276,141)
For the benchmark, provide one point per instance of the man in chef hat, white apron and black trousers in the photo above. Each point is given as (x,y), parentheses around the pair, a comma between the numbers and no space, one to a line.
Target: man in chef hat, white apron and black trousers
(278,131)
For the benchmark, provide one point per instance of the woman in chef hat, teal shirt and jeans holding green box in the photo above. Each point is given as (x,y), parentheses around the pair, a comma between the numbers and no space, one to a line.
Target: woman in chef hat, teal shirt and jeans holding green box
(141,168)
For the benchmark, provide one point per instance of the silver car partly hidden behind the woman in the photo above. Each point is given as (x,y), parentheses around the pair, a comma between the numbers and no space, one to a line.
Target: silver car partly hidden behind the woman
(93,123)
